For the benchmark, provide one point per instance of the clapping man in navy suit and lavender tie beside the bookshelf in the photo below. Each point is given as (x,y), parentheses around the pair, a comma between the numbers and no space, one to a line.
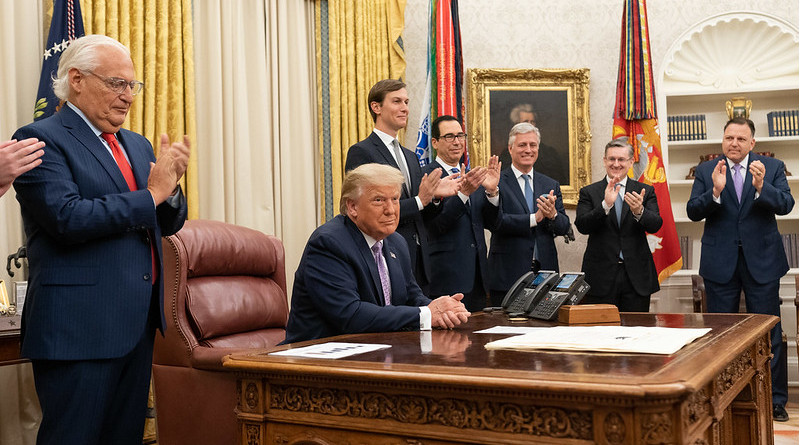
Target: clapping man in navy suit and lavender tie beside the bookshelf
(738,195)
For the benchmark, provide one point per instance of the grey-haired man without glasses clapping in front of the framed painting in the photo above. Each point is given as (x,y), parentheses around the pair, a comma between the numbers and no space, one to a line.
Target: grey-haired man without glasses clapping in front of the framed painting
(531,213)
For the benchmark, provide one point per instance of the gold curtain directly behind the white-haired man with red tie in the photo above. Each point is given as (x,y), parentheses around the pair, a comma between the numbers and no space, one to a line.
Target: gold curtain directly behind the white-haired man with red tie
(159,36)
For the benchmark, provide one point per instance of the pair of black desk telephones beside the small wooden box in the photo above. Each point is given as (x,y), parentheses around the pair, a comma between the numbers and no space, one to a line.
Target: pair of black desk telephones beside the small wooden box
(540,294)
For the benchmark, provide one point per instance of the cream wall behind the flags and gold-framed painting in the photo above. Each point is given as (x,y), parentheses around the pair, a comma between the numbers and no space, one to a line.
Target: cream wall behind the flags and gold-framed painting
(562,34)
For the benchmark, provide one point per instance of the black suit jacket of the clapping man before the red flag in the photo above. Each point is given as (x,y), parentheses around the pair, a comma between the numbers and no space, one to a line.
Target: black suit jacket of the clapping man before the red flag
(607,237)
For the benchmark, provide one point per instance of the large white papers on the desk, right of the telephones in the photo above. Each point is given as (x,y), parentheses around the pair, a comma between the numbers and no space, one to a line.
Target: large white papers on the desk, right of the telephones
(638,339)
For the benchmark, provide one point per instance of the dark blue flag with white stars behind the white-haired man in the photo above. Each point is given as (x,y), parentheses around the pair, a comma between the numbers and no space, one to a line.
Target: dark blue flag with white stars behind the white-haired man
(65,26)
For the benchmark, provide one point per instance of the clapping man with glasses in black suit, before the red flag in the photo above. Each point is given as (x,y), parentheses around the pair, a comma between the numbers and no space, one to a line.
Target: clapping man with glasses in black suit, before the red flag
(616,212)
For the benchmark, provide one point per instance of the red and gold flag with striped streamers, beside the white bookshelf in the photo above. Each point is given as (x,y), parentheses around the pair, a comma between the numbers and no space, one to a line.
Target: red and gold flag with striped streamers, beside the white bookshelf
(635,117)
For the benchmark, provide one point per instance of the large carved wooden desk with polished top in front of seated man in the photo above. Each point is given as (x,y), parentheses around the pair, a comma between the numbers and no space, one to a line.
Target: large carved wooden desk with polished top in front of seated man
(711,391)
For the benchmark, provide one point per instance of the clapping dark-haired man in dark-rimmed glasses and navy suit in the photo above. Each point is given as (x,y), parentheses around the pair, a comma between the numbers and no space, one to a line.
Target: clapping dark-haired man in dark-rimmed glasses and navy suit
(457,244)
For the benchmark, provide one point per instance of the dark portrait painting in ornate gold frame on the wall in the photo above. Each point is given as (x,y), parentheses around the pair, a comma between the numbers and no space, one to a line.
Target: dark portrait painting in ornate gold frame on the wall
(558,100)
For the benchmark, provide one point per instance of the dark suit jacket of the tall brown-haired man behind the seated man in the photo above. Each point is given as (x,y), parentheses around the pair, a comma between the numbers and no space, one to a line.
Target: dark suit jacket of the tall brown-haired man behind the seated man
(412,227)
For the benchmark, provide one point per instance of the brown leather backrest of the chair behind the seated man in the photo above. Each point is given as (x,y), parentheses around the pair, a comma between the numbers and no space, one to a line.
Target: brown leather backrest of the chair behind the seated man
(224,290)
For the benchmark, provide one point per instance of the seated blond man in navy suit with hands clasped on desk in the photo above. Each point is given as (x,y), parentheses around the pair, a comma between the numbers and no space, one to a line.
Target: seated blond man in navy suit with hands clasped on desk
(355,273)
